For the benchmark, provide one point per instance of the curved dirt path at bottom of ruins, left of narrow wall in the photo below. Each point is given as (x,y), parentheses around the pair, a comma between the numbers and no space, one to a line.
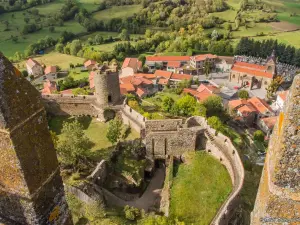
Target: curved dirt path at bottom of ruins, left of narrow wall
(147,200)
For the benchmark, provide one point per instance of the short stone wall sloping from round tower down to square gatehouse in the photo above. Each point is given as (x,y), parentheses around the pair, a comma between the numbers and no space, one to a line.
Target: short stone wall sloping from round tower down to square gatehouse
(133,118)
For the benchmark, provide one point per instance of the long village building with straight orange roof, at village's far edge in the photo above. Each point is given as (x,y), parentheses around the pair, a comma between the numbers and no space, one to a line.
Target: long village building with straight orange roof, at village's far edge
(161,62)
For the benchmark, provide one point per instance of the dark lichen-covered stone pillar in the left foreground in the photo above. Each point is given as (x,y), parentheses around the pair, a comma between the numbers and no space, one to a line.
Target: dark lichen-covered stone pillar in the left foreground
(31,188)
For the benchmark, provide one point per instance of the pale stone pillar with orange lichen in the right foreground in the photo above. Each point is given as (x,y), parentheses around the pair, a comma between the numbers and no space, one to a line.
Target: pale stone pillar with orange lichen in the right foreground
(278,197)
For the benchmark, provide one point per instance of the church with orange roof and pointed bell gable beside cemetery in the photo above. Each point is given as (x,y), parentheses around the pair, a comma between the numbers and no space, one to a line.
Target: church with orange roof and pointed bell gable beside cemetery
(253,76)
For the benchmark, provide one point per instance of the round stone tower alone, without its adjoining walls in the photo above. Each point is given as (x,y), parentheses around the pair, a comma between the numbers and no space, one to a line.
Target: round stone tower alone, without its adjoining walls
(107,86)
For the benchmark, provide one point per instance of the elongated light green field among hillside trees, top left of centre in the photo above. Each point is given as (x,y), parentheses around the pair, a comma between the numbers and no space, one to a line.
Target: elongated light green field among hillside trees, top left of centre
(117,12)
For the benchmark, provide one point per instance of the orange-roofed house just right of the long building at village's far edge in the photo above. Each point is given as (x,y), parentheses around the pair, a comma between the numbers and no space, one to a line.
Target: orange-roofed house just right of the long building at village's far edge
(198,62)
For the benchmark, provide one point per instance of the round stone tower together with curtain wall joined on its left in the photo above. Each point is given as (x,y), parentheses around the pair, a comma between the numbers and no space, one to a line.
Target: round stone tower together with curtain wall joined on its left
(107,95)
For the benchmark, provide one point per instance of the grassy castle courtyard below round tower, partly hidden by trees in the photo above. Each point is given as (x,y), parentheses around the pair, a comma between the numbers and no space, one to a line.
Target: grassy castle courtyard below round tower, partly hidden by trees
(94,130)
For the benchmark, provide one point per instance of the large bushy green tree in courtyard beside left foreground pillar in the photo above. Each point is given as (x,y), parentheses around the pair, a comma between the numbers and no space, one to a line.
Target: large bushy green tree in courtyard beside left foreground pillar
(74,147)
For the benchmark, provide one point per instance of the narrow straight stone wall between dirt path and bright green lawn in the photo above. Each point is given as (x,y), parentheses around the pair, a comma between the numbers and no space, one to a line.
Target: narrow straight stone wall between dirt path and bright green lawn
(165,194)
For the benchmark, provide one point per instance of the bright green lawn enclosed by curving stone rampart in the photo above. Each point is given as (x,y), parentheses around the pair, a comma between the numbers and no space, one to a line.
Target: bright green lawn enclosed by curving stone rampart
(200,187)
